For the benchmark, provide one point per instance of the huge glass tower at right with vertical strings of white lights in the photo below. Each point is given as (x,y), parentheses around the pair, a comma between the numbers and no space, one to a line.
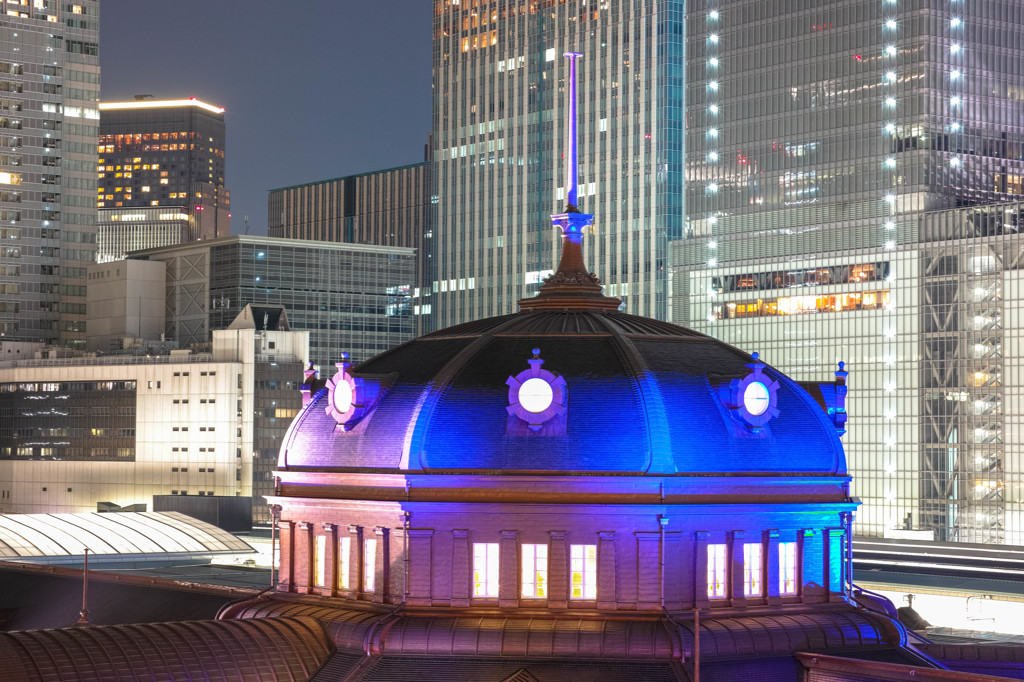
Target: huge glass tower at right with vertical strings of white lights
(825,143)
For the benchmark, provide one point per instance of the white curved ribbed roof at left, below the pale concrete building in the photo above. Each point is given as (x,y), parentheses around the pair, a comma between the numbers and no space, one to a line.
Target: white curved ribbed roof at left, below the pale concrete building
(49,537)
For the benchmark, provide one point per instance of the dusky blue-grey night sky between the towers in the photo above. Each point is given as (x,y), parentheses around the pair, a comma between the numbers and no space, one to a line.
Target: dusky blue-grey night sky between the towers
(314,90)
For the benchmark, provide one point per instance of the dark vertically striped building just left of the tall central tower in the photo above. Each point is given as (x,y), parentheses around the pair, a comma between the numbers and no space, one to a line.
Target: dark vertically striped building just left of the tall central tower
(380,208)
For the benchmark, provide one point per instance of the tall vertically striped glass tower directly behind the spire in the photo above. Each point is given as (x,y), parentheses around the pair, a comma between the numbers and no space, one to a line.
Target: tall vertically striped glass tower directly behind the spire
(499,124)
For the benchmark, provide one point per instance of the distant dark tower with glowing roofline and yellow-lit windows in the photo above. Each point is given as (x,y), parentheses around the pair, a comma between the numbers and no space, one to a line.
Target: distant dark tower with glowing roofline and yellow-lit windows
(161,170)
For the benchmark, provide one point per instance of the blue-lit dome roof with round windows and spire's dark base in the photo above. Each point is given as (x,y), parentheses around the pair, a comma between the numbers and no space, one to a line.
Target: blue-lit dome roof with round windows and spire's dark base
(639,397)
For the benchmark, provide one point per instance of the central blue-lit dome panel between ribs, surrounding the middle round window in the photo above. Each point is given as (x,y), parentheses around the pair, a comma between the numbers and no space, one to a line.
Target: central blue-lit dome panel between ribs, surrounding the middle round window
(605,428)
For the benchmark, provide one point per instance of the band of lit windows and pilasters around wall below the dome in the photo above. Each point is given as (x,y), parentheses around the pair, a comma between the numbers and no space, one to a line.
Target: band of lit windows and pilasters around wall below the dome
(360,562)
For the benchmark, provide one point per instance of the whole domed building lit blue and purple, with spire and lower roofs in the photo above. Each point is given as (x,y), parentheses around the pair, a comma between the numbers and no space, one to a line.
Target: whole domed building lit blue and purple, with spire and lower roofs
(567,491)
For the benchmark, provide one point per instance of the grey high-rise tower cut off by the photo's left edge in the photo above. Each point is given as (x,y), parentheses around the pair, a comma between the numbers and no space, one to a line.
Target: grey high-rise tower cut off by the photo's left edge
(50,93)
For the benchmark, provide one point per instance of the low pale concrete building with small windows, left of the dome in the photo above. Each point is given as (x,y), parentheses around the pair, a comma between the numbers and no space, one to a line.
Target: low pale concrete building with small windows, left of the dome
(83,431)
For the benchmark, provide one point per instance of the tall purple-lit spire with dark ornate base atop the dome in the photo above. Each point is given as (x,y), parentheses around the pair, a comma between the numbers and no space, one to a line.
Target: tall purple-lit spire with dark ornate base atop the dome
(573,286)
